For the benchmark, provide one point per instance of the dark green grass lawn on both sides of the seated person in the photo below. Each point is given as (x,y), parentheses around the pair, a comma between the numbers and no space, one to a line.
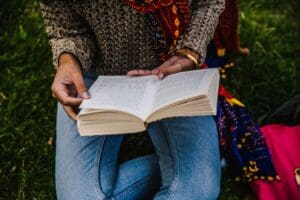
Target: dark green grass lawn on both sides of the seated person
(263,80)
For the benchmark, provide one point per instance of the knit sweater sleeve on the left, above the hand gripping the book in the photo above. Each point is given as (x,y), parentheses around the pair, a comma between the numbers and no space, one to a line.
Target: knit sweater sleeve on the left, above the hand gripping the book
(68,32)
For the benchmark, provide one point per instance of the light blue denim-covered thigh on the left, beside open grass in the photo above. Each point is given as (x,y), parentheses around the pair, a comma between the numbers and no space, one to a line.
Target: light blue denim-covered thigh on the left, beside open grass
(86,167)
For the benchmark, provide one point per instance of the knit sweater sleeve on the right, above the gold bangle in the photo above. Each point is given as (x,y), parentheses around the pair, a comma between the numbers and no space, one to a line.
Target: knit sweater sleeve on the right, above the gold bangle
(204,20)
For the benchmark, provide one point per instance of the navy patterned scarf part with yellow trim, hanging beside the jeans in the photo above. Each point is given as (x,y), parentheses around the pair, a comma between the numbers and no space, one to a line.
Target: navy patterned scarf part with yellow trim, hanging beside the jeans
(241,140)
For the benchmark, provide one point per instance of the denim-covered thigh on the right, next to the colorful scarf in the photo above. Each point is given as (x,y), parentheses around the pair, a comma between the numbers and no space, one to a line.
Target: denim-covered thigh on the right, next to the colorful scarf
(189,158)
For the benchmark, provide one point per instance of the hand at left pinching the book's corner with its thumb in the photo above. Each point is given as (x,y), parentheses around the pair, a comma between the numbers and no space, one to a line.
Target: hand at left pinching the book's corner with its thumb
(68,85)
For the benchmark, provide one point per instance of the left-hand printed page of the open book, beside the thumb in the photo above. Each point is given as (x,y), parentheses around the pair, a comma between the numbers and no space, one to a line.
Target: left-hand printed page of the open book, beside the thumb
(128,94)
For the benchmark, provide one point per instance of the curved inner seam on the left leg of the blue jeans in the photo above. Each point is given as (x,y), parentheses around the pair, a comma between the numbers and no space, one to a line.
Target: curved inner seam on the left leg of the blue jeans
(97,183)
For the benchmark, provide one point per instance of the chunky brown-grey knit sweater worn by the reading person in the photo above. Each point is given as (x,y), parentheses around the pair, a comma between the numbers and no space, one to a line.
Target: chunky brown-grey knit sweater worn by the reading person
(113,38)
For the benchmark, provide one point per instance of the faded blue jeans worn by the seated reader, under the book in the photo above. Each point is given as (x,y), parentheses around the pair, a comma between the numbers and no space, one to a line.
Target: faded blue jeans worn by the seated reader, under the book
(186,165)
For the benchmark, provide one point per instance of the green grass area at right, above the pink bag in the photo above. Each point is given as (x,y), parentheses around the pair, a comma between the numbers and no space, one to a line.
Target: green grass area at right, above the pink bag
(270,74)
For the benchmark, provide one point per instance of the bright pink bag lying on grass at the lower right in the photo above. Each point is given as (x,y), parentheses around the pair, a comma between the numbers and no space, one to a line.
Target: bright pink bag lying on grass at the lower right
(284,145)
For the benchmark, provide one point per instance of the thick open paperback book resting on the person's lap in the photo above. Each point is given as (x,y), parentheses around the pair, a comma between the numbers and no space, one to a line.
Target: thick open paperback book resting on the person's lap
(122,104)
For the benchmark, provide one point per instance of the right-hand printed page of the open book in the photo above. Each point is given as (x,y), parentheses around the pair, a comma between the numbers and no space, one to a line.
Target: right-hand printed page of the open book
(183,85)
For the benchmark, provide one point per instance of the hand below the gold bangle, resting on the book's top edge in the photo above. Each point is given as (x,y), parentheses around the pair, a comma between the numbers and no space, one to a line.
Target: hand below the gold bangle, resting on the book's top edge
(173,65)
